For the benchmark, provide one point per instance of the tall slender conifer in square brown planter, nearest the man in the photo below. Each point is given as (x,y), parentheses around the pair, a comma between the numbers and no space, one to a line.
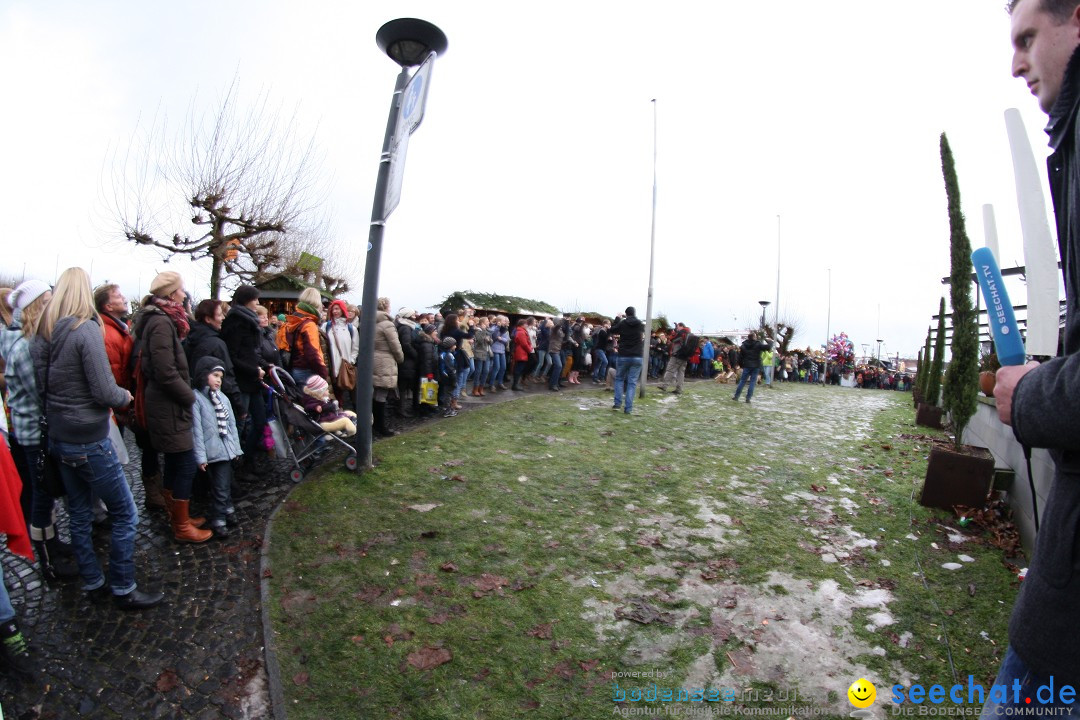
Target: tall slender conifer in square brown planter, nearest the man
(961,474)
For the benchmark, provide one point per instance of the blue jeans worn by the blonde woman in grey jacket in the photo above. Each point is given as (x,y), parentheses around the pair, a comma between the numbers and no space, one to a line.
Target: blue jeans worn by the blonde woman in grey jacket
(93,468)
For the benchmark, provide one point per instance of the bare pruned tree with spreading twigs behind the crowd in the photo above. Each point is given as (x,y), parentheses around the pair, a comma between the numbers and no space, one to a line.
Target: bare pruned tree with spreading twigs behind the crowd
(248,182)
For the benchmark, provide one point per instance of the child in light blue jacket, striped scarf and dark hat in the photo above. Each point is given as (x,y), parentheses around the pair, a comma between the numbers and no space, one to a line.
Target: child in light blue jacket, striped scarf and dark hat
(217,442)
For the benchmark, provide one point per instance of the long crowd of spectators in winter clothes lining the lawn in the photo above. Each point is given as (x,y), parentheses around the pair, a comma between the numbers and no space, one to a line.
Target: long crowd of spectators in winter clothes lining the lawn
(187,383)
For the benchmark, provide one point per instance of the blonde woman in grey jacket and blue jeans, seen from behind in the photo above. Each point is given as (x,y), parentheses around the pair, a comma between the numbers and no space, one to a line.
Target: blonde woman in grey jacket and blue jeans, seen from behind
(74,371)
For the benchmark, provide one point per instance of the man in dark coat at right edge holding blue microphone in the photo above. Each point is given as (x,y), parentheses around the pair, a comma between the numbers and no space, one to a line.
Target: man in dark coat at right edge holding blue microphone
(1043,402)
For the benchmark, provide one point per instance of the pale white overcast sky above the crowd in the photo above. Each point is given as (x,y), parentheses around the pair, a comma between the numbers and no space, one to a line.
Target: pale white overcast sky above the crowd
(532,174)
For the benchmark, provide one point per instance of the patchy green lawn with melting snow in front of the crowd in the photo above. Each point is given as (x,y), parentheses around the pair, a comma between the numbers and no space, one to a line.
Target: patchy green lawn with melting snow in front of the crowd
(523,560)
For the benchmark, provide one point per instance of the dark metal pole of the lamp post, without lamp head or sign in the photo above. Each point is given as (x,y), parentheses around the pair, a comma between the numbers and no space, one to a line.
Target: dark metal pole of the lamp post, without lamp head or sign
(366,362)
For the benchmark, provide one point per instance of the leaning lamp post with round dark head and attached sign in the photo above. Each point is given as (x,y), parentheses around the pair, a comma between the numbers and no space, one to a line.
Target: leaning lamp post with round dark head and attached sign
(409,43)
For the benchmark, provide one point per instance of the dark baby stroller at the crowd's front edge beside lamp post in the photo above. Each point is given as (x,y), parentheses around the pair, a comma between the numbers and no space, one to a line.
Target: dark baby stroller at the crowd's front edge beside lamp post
(305,441)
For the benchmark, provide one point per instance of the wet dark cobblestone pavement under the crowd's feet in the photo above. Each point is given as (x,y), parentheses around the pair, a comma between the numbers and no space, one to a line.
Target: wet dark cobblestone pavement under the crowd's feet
(200,655)
